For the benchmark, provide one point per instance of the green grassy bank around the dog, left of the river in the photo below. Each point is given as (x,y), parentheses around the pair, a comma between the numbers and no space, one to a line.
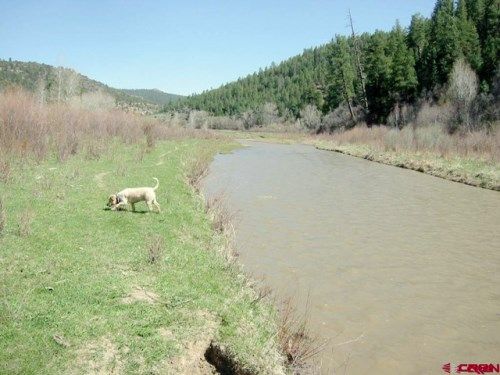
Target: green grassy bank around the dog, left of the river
(64,284)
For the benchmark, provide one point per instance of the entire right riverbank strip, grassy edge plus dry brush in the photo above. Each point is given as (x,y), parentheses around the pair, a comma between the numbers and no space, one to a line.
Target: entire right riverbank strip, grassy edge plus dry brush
(473,159)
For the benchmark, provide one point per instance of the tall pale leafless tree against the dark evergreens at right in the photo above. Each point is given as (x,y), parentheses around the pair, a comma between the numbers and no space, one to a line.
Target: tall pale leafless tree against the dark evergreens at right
(462,90)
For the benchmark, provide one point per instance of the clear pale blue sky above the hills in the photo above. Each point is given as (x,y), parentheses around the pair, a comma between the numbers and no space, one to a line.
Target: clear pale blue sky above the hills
(182,46)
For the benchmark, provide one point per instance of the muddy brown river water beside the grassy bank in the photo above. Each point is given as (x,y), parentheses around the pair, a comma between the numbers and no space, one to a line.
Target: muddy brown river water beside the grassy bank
(401,269)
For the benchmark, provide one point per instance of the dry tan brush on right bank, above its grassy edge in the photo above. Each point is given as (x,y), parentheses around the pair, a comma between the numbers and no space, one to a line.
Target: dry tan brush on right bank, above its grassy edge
(434,139)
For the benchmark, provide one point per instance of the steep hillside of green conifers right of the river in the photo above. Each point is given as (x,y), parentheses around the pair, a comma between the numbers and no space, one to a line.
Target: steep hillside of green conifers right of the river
(371,75)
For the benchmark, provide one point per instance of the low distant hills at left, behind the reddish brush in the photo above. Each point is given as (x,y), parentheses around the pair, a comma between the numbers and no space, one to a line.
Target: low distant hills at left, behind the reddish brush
(57,82)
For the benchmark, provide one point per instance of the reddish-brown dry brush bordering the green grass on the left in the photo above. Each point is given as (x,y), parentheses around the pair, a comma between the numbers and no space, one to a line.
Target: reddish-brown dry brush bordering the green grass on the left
(31,129)
